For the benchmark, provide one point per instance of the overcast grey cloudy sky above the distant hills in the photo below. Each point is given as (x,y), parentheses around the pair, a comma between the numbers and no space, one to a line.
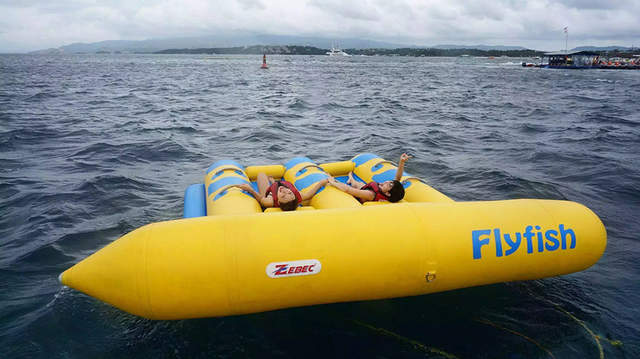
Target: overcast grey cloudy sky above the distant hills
(27,25)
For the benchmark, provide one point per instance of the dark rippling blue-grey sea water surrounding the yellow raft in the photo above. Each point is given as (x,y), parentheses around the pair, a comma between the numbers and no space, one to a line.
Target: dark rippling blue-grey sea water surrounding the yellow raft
(94,146)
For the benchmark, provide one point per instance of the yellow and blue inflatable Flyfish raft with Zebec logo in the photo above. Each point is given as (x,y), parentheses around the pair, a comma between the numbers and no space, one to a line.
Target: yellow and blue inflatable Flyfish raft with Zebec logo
(228,256)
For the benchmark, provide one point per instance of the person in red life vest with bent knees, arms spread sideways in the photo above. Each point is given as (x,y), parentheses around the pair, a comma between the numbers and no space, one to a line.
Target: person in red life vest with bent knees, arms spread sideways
(281,193)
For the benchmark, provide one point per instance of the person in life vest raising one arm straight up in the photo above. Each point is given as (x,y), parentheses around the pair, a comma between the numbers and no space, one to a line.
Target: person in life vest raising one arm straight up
(391,191)
